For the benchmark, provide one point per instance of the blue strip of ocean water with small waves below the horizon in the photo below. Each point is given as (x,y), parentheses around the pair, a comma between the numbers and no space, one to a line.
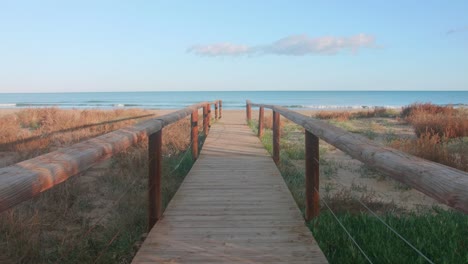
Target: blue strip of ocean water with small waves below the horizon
(234,100)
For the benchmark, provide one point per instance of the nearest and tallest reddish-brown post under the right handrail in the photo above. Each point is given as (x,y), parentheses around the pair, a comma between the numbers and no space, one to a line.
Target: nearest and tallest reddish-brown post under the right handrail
(312,176)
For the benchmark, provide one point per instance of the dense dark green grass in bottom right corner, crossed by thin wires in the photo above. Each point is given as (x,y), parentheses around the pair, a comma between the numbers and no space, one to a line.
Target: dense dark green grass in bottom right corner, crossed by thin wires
(441,236)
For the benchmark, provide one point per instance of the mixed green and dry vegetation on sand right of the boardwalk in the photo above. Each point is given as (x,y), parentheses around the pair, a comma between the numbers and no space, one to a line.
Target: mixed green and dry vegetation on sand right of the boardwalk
(438,232)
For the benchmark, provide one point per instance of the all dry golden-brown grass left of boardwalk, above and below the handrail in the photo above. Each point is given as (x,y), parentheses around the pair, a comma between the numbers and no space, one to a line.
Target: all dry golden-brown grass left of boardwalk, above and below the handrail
(74,221)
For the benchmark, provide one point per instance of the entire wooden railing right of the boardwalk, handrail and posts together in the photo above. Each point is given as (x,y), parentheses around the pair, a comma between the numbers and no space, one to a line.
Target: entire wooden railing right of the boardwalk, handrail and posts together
(445,184)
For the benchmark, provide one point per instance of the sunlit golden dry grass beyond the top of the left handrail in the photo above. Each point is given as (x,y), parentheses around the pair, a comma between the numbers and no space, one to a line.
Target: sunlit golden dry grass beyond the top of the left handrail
(31,132)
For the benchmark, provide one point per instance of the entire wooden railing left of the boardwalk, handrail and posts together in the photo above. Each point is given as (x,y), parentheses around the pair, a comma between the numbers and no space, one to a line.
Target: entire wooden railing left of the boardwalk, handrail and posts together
(26,179)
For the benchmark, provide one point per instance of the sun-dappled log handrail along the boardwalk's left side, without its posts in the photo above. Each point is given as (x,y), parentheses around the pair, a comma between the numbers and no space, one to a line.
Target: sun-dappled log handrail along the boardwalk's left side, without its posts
(24,180)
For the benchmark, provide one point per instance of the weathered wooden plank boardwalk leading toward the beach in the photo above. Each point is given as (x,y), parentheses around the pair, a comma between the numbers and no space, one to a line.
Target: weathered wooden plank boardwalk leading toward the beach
(233,207)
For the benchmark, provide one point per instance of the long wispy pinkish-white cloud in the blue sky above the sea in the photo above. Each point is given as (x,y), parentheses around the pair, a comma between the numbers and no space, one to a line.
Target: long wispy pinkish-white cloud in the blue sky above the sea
(296,45)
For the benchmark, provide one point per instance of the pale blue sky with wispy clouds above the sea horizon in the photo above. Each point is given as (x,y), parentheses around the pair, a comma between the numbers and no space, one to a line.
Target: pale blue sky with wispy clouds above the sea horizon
(72,46)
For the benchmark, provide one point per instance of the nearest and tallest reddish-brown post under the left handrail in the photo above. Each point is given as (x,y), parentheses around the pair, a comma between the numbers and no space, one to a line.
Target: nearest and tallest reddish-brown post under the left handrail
(155,173)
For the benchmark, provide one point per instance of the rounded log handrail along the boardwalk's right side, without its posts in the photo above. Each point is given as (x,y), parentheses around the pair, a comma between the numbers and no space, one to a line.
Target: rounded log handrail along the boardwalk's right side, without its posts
(445,184)
